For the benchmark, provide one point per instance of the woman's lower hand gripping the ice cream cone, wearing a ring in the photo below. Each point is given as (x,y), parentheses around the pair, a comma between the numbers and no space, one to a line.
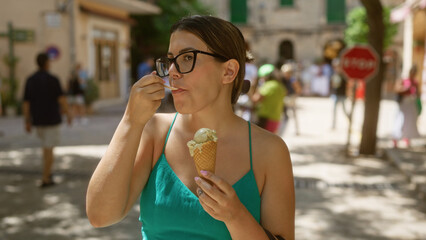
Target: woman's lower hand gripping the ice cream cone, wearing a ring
(218,198)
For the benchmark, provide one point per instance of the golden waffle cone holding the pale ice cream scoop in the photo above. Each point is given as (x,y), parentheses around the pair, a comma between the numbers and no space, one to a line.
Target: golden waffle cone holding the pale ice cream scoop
(205,157)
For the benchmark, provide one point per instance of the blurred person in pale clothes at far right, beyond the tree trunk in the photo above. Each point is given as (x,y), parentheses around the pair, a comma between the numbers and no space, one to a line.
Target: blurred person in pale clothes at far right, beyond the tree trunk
(409,110)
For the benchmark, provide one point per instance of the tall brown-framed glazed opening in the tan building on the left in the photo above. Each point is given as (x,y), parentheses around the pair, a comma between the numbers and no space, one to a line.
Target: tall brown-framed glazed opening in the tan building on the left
(106,55)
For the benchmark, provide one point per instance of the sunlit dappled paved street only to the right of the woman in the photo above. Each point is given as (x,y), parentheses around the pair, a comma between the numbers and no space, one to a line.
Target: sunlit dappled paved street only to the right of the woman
(349,198)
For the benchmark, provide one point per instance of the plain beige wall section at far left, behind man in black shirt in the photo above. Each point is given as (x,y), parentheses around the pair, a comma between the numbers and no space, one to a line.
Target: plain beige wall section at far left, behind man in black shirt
(32,15)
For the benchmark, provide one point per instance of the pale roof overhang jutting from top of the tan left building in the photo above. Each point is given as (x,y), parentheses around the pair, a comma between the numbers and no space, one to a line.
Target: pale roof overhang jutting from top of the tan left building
(131,6)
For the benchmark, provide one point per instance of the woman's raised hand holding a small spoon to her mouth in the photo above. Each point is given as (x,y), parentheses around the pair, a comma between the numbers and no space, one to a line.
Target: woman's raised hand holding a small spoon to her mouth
(145,98)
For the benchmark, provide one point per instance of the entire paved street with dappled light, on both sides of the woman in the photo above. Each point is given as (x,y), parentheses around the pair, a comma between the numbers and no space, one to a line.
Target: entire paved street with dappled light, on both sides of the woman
(338,197)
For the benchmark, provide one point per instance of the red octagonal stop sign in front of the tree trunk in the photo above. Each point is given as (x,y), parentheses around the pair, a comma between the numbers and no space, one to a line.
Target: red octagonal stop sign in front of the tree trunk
(359,62)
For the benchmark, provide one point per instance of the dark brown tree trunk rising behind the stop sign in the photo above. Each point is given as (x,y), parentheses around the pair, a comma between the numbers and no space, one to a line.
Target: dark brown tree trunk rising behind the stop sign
(373,88)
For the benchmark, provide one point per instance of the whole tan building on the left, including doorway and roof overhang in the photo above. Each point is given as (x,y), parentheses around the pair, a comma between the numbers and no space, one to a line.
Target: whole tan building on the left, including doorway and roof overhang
(92,33)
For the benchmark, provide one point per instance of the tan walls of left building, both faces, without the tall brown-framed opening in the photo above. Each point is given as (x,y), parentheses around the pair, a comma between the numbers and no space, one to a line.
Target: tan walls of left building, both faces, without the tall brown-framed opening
(52,28)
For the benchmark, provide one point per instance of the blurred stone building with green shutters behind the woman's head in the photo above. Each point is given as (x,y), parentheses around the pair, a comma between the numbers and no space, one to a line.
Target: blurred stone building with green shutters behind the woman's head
(292,29)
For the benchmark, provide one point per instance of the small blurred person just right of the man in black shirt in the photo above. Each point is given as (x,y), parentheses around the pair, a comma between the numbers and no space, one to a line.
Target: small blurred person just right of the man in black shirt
(76,93)
